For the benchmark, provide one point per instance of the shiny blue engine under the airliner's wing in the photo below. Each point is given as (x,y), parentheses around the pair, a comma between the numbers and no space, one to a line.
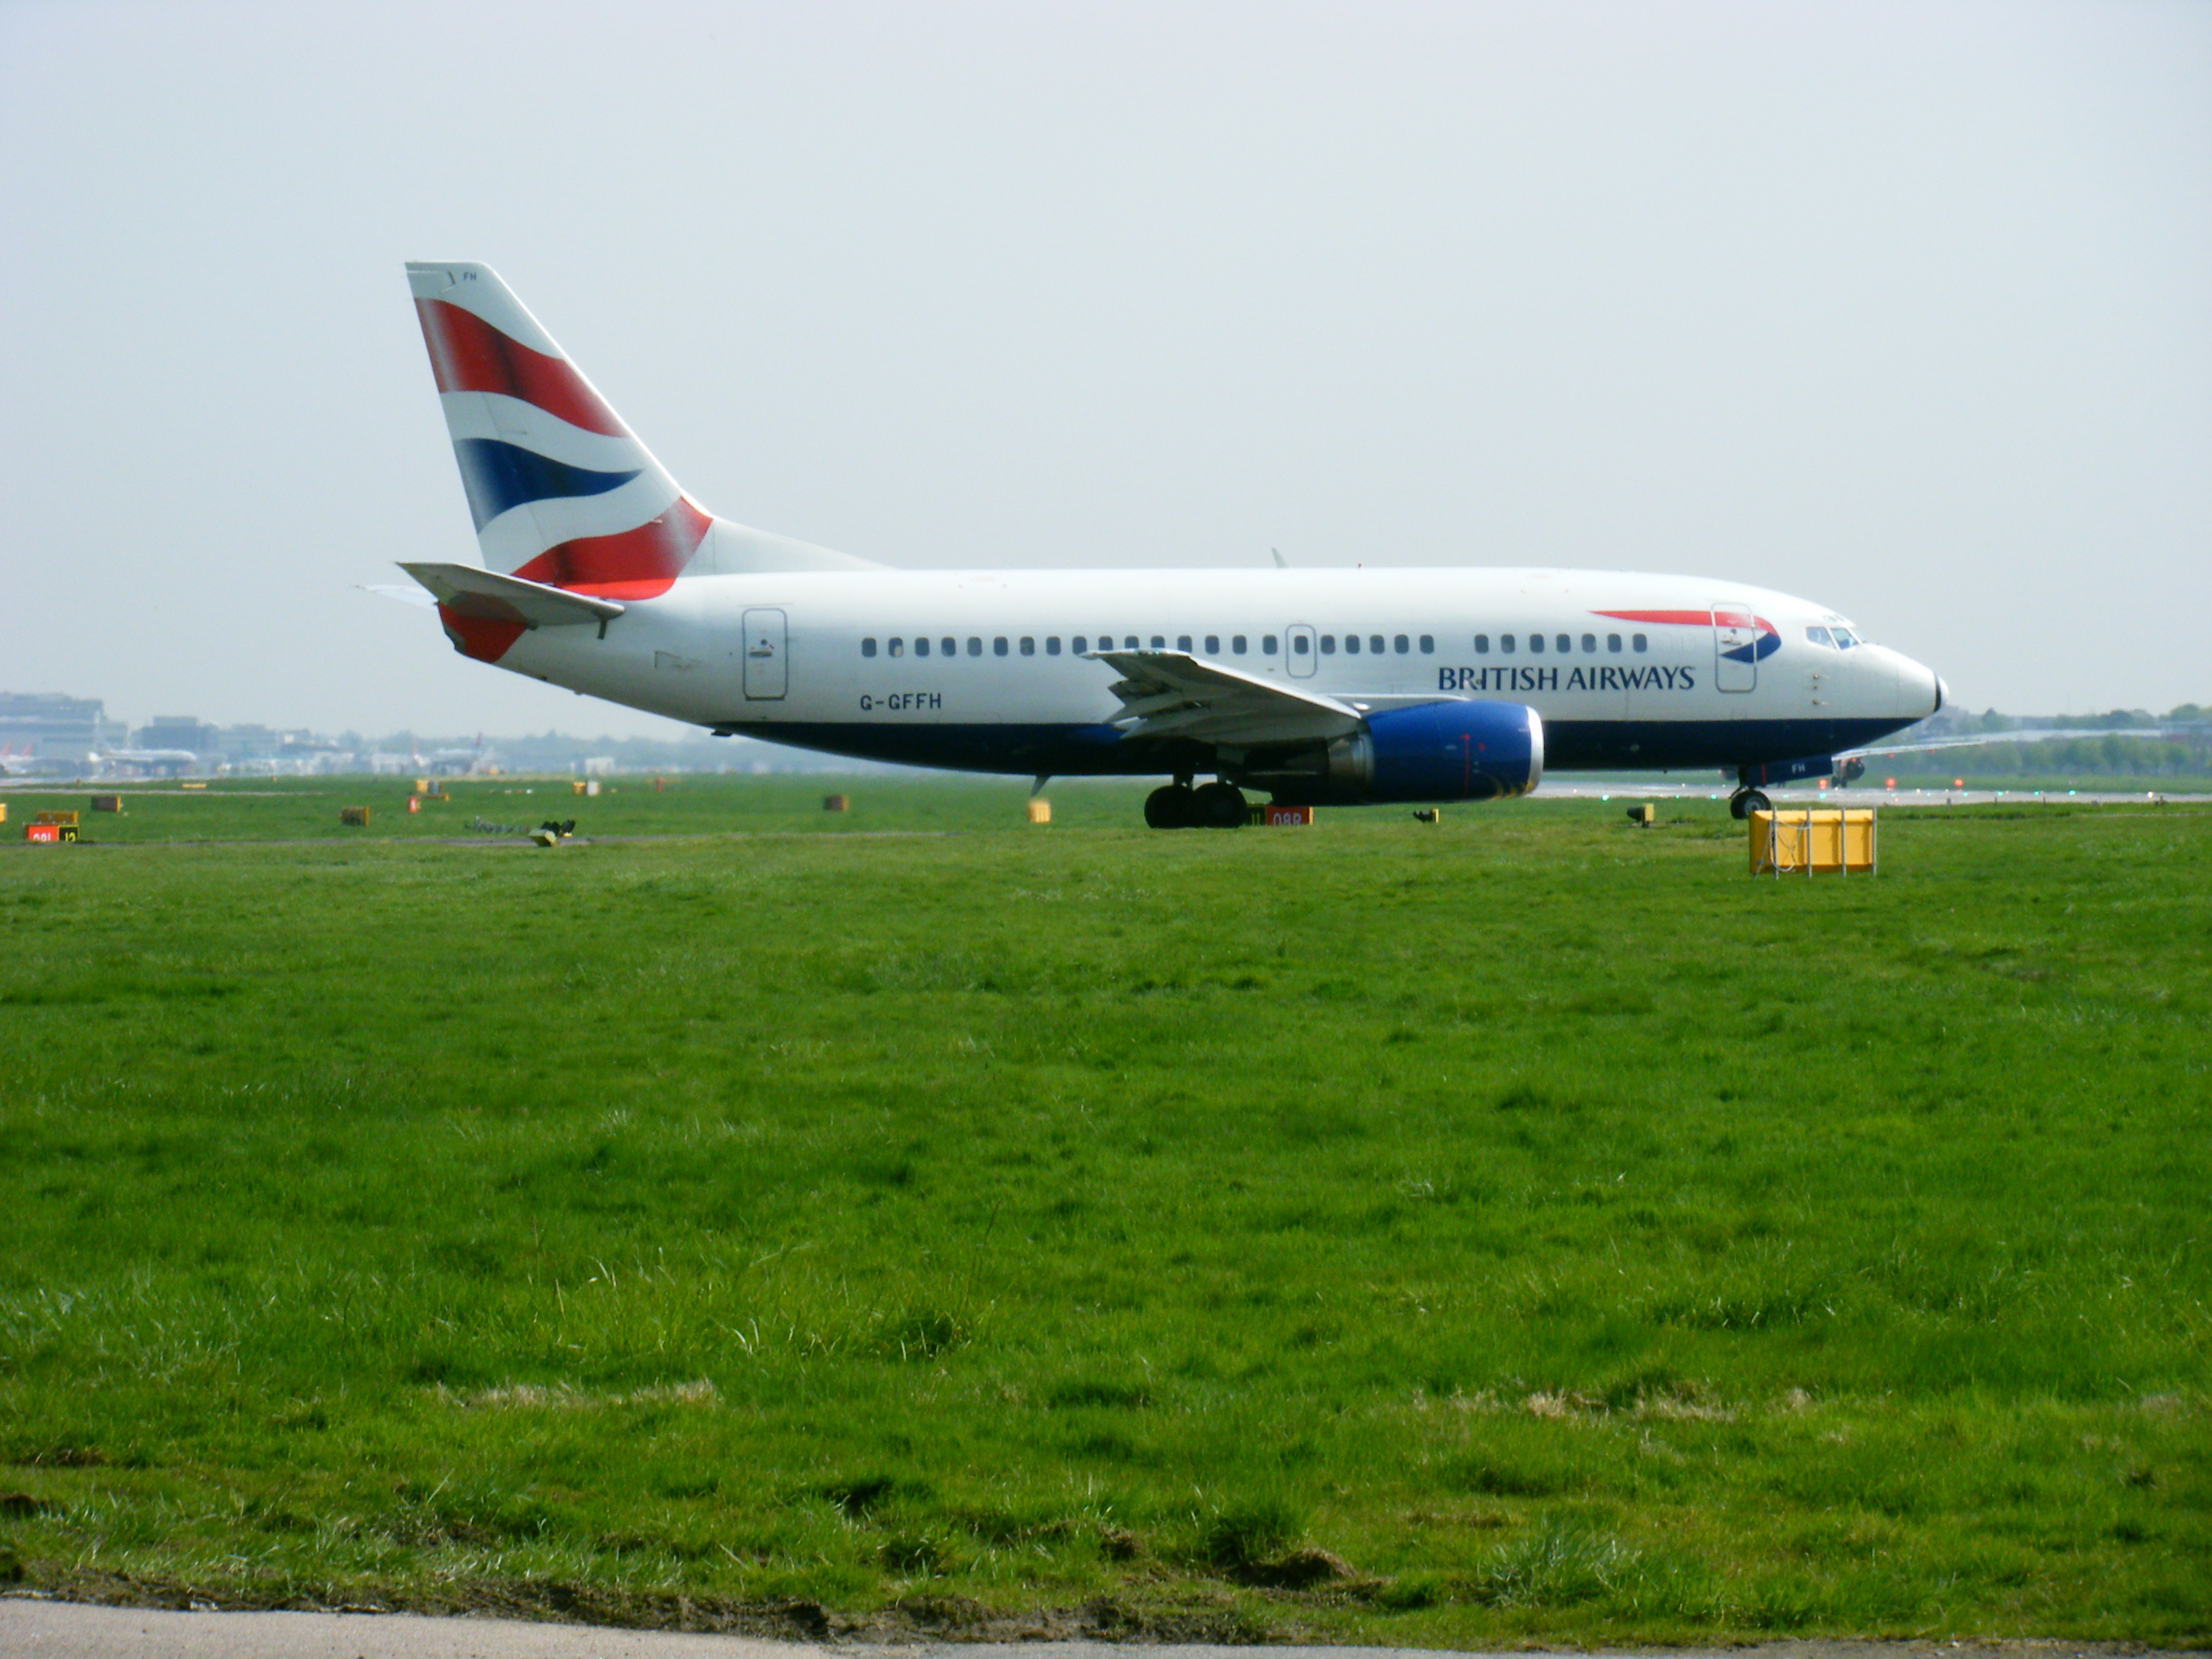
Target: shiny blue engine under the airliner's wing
(1450,751)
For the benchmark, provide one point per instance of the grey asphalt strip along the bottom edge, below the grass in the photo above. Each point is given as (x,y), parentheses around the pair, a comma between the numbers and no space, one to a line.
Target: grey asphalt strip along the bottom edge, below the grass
(39,1629)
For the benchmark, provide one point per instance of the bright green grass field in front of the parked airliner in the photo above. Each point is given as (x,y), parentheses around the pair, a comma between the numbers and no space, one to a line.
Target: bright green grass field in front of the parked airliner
(1514,1229)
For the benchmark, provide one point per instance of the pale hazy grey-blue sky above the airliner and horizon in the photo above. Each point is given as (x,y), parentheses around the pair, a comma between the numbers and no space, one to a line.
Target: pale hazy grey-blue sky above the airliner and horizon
(1903,309)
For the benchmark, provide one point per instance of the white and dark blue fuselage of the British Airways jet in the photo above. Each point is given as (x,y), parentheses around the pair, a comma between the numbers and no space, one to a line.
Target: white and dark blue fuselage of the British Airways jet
(994,669)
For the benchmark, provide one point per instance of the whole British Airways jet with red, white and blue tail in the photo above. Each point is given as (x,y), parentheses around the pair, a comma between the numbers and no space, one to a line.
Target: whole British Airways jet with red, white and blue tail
(1317,687)
